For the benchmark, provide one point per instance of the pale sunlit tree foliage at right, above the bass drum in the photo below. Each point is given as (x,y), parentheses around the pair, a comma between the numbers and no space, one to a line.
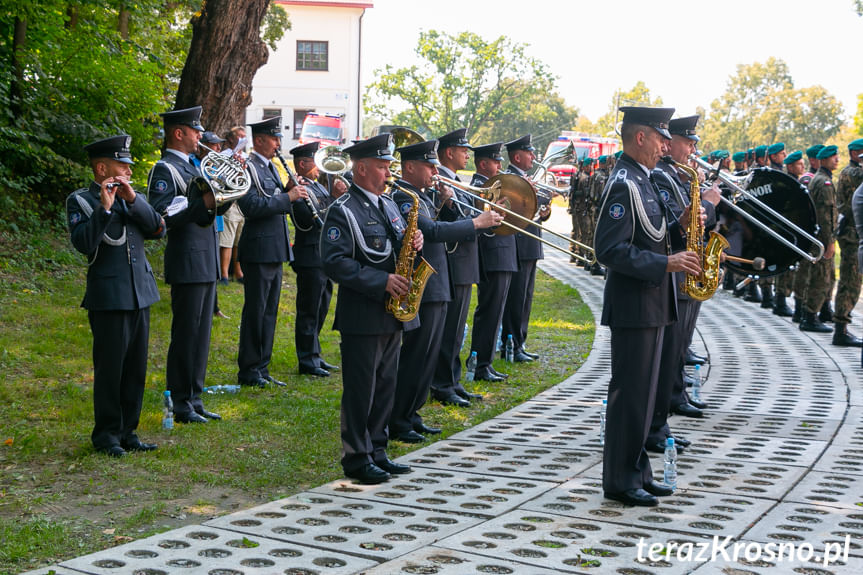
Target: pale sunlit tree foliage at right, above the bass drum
(761,106)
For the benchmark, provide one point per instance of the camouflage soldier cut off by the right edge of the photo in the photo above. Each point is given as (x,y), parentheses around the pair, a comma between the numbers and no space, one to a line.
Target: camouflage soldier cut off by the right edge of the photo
(849,274)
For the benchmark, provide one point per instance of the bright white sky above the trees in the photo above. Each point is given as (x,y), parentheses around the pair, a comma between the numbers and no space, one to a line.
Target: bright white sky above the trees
(684,50)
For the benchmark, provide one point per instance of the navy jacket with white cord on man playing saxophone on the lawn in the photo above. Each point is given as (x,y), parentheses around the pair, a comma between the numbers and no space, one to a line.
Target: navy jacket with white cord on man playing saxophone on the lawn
(359,252)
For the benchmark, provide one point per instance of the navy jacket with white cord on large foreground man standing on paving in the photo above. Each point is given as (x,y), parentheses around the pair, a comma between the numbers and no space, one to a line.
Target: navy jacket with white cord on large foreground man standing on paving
(638,291)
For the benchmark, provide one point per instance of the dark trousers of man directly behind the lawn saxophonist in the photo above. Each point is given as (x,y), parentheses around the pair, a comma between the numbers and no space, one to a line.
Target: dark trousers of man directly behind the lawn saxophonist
(416,367)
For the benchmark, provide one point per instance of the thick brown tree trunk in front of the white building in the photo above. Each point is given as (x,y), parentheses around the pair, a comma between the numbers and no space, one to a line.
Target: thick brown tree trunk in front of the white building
(225,54)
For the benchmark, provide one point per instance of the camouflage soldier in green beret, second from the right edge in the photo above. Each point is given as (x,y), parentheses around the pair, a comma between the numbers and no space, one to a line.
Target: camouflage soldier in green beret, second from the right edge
(824,196)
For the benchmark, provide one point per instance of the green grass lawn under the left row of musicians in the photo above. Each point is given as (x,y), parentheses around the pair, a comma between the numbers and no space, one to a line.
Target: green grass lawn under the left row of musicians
(60,499)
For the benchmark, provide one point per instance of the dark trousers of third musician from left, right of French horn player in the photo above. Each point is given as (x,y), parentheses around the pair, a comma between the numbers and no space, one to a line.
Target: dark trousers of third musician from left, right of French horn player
(262,288)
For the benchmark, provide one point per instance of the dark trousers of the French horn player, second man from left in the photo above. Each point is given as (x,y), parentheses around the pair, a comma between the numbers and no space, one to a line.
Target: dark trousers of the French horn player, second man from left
(192,307)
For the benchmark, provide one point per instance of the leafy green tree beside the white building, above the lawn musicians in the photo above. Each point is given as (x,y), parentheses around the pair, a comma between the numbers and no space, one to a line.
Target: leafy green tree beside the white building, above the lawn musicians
(492,88)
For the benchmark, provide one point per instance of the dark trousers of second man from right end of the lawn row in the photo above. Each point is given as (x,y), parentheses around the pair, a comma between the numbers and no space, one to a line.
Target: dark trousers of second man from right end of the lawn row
(491,297)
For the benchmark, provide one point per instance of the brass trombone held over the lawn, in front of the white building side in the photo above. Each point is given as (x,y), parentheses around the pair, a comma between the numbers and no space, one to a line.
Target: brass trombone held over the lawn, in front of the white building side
(496,186)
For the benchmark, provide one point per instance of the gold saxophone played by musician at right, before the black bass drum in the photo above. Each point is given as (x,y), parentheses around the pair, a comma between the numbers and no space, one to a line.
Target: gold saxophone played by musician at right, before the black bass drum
(702,286)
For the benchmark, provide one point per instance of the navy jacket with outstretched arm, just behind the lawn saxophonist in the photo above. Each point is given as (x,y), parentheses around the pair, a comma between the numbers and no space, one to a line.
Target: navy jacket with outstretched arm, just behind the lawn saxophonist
(438,287)
